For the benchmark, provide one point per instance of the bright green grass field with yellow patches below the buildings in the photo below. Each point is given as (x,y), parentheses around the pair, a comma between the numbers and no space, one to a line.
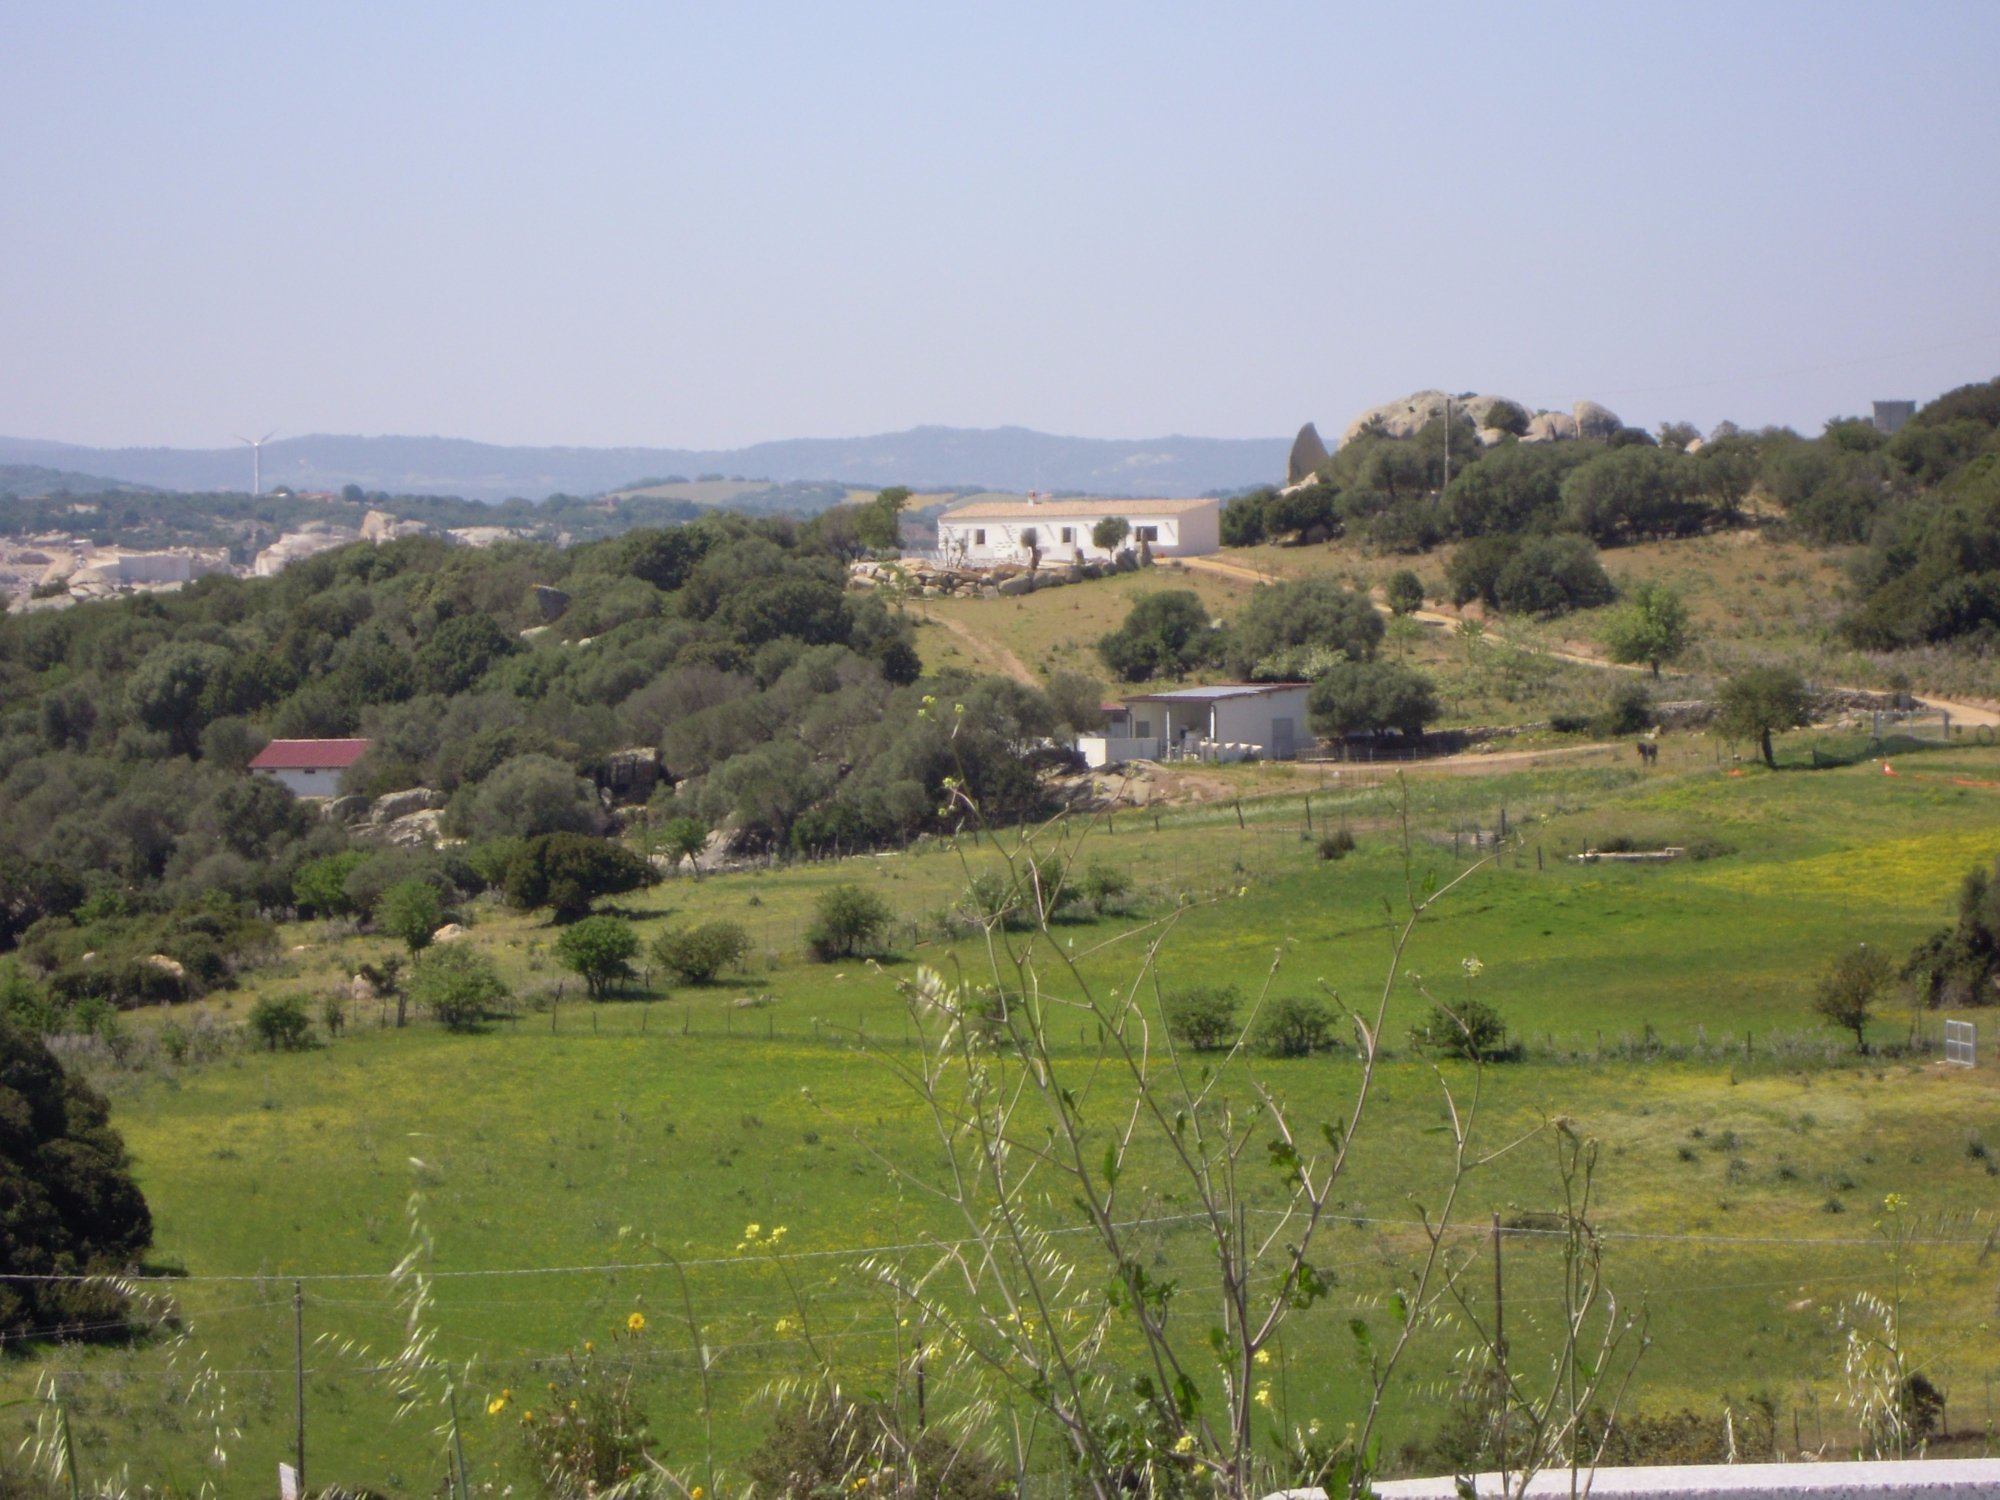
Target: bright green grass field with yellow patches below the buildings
(569,1155)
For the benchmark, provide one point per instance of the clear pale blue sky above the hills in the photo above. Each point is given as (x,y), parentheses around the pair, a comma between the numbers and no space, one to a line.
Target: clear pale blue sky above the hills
(717,225)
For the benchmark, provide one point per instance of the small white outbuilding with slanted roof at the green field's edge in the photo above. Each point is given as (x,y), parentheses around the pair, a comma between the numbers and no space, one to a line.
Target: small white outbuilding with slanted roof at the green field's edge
(1235,721)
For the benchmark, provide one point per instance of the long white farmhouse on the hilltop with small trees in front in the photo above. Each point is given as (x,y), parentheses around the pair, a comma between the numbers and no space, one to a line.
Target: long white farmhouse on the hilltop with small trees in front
(1009,531)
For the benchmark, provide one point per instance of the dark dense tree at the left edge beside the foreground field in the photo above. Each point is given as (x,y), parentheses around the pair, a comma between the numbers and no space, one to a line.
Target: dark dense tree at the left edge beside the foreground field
(69,1203)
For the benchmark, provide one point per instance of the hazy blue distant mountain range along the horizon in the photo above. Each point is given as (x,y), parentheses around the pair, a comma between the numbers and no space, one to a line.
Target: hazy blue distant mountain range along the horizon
(925,459)
